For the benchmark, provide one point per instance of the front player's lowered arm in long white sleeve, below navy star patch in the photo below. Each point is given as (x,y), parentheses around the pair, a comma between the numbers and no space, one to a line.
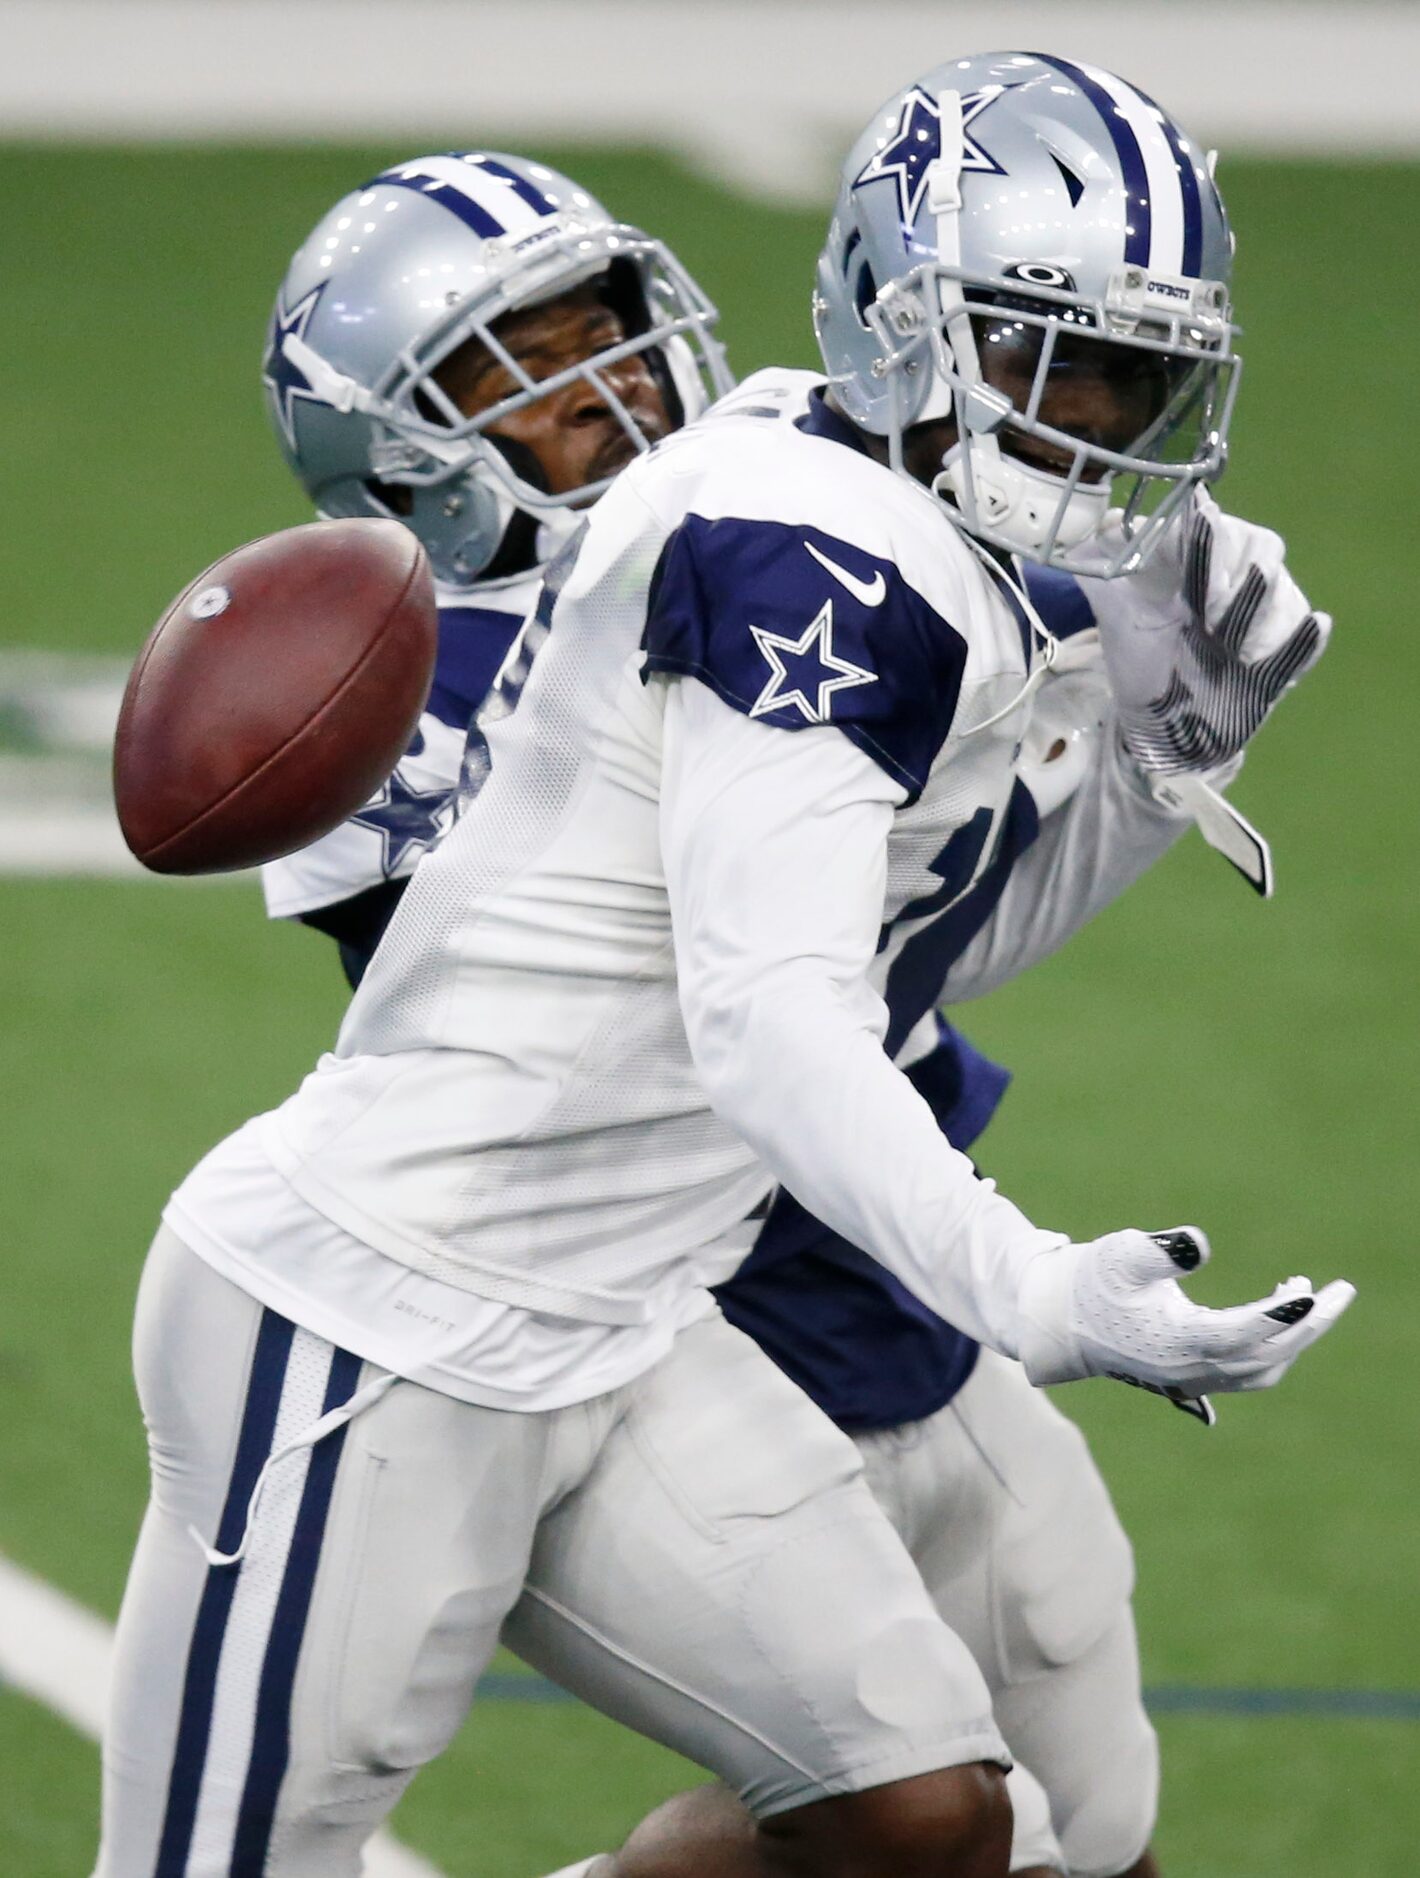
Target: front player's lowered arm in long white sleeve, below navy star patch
(775,852)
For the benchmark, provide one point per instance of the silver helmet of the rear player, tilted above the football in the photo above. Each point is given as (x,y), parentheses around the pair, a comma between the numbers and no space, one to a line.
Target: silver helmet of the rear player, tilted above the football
(409,269)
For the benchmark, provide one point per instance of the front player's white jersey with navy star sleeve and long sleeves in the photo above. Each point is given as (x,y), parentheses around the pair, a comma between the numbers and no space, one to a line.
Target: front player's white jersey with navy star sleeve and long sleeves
(764,765)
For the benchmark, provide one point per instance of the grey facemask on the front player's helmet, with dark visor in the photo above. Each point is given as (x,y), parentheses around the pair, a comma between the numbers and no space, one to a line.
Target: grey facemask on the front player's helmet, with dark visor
(1064,408)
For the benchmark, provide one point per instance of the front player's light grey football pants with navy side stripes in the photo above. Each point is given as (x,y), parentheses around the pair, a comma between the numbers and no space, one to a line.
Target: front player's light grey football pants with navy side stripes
(700,1548)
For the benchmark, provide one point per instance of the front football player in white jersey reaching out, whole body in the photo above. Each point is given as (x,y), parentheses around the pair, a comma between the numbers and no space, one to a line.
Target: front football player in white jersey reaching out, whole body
(433,1338)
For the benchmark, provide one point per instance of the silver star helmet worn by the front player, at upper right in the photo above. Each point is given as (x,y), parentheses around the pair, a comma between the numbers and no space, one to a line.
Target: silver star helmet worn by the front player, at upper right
(1028,247)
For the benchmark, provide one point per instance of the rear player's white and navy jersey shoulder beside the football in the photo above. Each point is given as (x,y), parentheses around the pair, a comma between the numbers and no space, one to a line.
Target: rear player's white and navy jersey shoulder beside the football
(410,812)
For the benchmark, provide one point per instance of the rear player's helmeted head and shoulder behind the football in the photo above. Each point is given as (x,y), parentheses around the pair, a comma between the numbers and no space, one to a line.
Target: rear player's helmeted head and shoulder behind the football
(474,346)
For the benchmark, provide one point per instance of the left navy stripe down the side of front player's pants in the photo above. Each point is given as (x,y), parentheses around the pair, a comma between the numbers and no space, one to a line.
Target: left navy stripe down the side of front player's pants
(264,1398)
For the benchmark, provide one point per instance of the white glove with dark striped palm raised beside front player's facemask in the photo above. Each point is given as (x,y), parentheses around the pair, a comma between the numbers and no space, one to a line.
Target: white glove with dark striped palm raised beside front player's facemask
(1205,639)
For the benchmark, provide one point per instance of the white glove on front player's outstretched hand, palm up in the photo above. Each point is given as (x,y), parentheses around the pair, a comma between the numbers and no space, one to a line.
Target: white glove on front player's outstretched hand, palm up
(1115,1308)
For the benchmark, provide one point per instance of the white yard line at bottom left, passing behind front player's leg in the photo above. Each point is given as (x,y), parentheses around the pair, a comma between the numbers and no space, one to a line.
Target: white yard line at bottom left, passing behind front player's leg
(61,1655)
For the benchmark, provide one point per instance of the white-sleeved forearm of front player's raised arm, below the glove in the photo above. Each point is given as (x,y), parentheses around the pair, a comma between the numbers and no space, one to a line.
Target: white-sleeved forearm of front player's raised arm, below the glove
(1090,850)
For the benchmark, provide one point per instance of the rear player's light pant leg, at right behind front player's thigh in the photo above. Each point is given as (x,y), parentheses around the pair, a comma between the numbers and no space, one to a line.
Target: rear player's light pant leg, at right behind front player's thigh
(1013,1532)
